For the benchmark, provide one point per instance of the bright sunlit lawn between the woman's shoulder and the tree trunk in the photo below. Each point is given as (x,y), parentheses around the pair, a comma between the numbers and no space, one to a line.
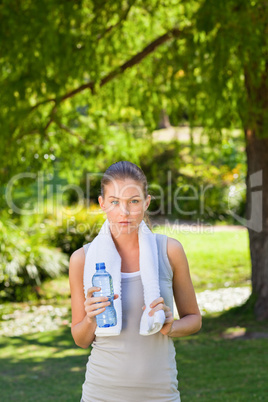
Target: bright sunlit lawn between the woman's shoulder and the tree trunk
(216,259)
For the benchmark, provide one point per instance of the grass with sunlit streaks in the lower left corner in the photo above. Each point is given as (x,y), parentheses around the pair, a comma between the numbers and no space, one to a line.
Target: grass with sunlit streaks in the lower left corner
(42,367)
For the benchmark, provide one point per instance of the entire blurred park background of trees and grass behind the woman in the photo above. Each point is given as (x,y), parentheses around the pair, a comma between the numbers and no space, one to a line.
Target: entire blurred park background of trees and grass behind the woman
(179,88)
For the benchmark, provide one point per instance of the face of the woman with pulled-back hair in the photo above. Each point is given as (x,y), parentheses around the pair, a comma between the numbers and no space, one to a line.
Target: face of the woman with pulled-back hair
(124,205)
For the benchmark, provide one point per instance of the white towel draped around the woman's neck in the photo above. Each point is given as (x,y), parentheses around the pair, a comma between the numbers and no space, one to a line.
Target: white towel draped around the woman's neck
(102,249)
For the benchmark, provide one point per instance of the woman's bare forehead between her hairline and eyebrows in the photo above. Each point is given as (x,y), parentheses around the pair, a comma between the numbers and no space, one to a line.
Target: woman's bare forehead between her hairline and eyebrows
(124,188)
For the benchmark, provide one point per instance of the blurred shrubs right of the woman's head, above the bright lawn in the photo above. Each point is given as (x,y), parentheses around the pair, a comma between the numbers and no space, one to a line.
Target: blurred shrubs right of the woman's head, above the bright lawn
(183,188)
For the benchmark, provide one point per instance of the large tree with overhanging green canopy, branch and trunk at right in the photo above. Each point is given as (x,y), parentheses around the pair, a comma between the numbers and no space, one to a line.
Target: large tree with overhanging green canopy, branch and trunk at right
(72,69)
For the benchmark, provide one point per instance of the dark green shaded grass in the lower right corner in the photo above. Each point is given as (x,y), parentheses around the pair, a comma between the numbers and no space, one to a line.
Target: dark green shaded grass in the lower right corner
(222,370)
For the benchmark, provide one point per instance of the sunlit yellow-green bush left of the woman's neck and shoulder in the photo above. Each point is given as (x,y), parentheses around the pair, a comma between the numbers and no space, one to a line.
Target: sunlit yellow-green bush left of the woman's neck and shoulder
(34,247)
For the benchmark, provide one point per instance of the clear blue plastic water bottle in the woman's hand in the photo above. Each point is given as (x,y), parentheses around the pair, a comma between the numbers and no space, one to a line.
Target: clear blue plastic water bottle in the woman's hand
(102,279)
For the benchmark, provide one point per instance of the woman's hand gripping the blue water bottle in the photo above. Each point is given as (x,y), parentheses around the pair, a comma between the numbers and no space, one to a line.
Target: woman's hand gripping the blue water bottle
(95,305)
